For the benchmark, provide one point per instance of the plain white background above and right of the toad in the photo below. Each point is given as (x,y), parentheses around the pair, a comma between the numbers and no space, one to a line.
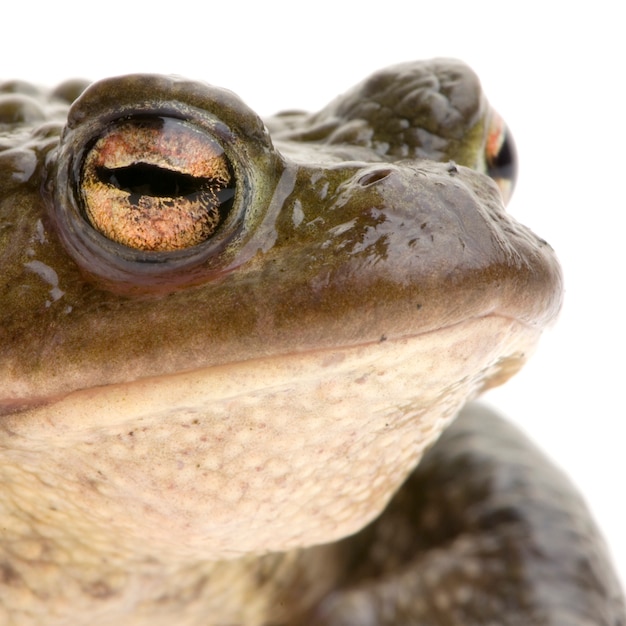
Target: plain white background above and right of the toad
(555,71)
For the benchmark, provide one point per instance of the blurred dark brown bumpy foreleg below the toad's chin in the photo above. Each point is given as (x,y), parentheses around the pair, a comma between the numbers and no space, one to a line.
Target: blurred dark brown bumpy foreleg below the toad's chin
(485,531)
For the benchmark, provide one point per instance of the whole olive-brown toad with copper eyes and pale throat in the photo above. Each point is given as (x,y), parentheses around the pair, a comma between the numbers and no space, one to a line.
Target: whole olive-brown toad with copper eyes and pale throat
(227,345)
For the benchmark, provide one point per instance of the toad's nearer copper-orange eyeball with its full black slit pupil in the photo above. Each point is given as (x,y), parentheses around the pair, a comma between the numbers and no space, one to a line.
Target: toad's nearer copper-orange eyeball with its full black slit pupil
(156,184)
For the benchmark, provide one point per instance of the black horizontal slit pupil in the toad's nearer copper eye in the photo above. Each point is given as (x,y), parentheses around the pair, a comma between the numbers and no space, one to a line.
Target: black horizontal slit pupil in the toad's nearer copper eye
(150,180)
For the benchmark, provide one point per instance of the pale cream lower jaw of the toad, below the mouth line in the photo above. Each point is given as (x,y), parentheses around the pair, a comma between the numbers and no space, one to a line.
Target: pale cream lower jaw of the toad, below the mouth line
(263,455)
